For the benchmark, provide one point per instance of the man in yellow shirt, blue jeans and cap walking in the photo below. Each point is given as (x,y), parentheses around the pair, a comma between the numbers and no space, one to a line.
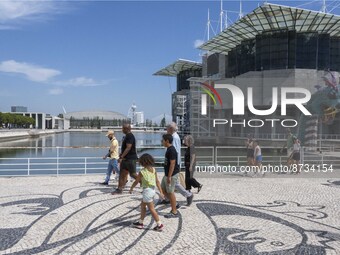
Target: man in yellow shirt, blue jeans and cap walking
(113,156)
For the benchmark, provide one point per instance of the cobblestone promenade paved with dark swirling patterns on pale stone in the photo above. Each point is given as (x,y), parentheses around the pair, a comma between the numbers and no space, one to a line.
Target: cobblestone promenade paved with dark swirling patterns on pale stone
(241,215)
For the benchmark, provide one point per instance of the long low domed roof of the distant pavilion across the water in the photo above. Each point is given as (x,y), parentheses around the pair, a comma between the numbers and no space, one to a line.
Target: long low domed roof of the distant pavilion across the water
(106,115)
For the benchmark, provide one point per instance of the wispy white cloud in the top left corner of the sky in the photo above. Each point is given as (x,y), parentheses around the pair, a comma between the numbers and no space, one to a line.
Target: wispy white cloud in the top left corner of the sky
(17,12)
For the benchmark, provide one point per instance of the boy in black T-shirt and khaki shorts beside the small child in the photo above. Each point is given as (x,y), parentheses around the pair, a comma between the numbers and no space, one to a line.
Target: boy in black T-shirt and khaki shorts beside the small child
(171,174)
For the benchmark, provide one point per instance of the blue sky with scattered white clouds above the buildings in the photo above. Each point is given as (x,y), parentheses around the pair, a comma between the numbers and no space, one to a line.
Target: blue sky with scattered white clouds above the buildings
(101,55)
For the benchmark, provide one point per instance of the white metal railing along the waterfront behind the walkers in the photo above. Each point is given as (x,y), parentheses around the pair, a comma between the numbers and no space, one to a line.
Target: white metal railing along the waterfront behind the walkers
(209,156)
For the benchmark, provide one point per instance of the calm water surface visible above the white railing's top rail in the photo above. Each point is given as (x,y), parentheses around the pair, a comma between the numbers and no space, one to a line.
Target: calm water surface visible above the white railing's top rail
(46,146)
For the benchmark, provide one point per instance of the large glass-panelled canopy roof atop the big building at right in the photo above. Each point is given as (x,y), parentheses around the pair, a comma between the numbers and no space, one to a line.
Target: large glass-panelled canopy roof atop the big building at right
(273,17)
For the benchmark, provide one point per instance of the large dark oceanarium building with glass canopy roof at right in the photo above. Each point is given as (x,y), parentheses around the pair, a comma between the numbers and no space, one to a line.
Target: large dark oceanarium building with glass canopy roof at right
(273,46)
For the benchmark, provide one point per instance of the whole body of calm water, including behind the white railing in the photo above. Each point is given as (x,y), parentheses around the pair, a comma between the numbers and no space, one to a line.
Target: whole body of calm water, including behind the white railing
(47,154)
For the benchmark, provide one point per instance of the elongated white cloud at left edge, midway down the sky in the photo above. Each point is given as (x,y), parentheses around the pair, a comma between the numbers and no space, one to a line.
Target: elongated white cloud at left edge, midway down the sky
(31,71)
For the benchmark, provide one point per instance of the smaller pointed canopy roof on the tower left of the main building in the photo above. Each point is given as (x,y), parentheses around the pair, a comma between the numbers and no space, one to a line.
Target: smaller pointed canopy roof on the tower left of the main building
(178,66)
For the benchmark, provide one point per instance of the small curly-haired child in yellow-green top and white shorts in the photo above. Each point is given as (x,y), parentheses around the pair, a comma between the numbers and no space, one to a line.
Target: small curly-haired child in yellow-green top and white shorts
(148,177)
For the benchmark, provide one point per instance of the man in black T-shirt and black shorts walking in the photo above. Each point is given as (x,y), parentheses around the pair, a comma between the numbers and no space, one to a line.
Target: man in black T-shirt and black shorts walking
(127,159)
